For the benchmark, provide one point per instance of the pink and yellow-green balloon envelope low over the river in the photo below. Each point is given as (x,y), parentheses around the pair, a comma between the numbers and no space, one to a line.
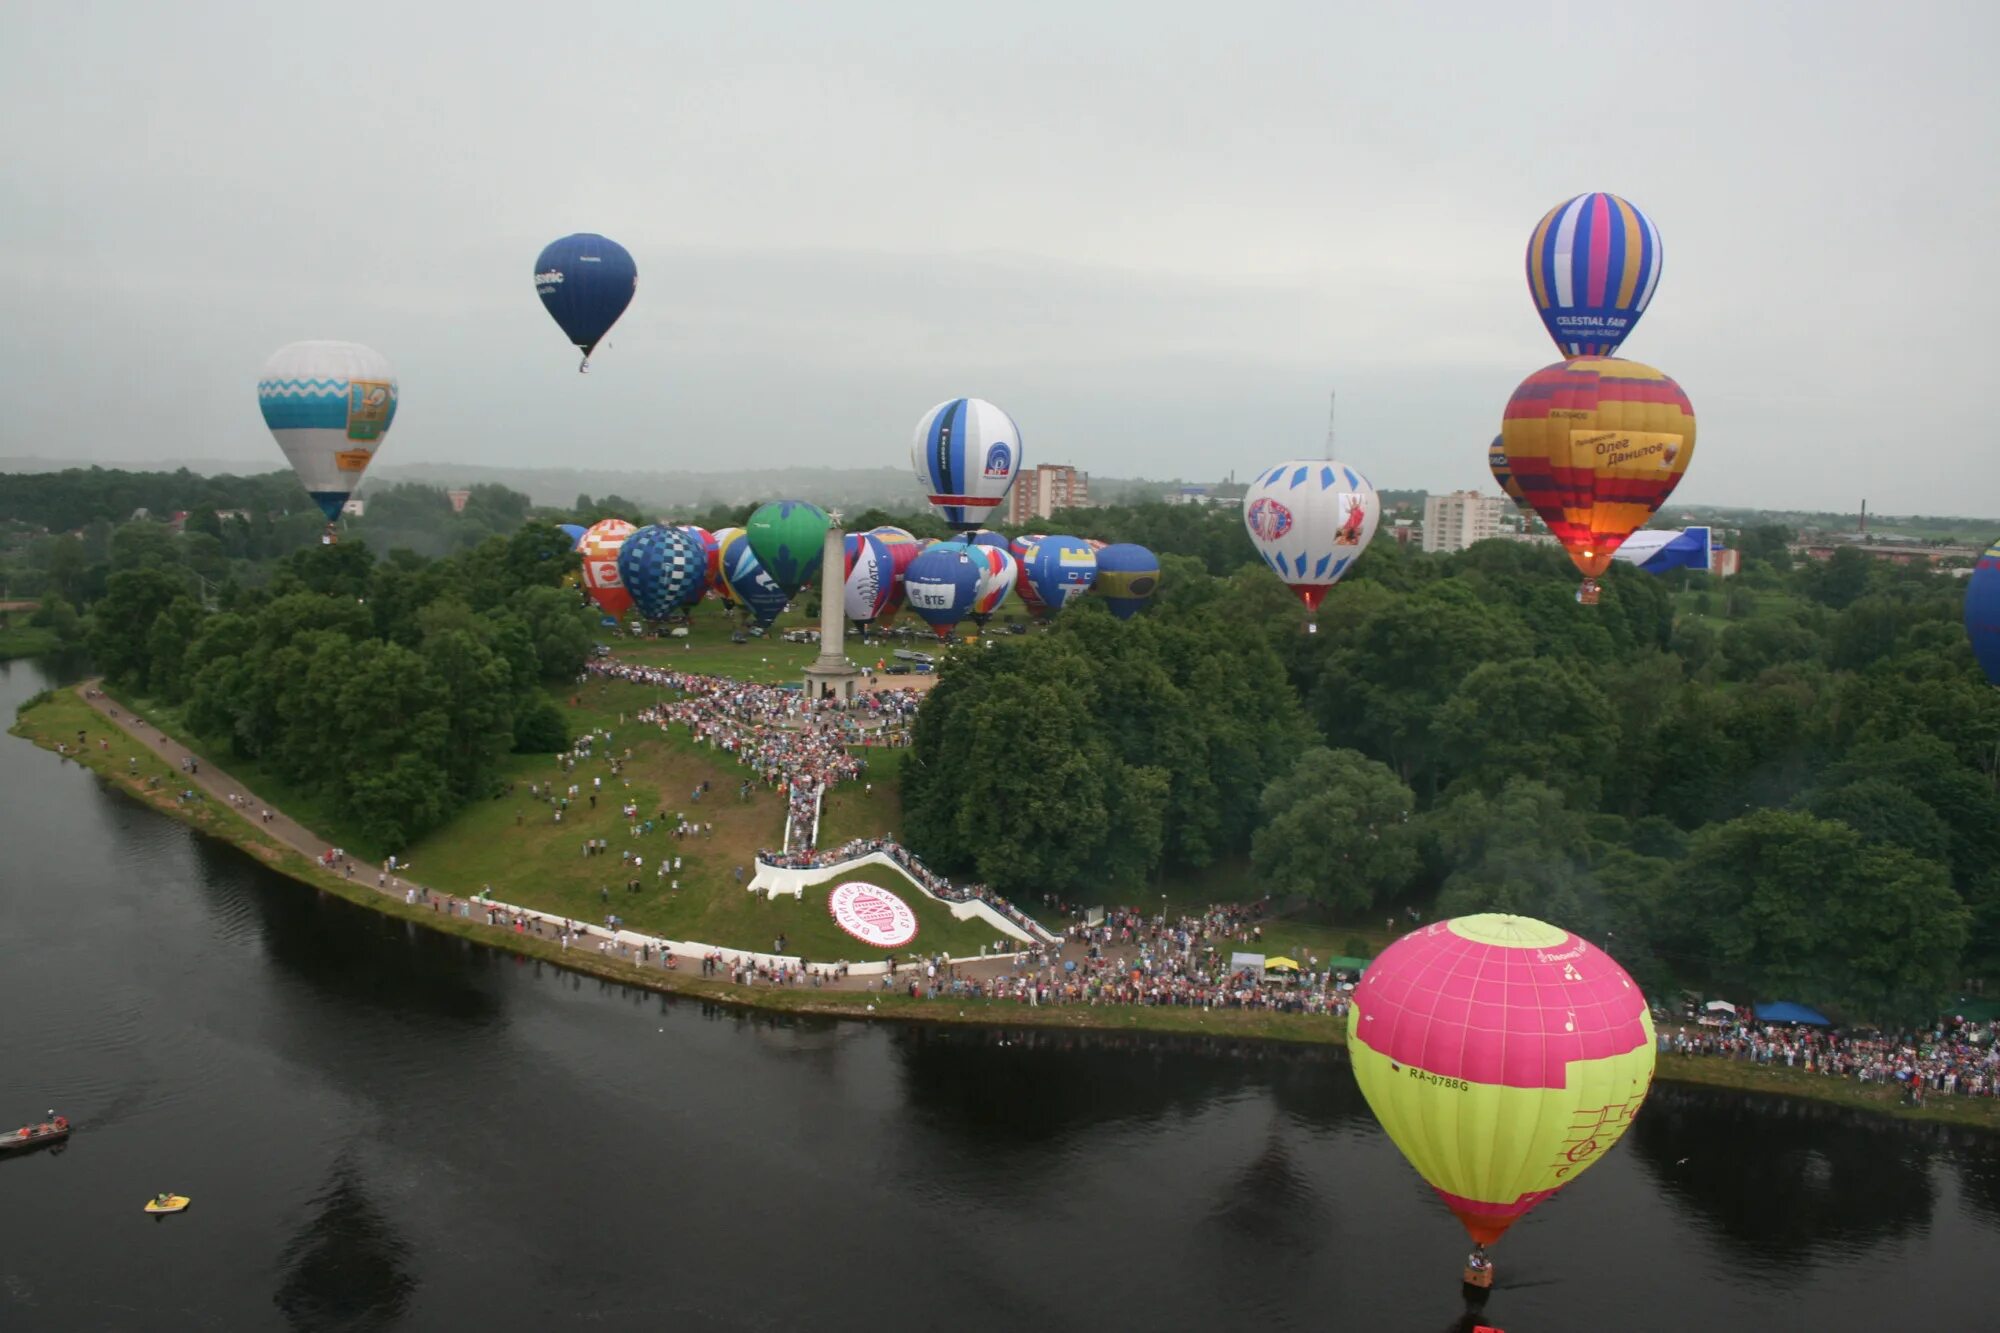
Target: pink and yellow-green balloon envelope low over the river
(1503,1056)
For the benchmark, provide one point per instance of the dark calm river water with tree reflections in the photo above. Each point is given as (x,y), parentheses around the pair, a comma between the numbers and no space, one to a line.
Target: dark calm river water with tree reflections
(391,1130)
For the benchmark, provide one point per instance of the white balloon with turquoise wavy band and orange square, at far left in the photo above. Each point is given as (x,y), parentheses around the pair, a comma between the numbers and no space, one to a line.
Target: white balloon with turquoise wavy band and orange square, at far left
(329,407)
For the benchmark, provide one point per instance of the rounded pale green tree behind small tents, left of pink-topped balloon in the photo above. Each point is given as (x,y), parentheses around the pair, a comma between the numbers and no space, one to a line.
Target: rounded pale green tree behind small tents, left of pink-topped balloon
(1337,830)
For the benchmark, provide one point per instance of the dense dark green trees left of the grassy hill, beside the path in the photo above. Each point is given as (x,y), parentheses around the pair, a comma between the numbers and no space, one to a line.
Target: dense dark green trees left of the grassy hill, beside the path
(387,688)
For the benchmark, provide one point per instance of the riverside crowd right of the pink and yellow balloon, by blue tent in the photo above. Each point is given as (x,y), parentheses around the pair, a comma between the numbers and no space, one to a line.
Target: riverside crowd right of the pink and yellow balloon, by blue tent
(1951,1058)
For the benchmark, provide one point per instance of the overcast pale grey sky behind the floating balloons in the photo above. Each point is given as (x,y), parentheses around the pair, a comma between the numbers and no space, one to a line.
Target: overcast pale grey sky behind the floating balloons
(1155,233)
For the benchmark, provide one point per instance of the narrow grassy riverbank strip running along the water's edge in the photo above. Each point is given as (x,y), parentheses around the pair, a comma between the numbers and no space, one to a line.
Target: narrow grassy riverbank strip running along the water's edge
(137,766)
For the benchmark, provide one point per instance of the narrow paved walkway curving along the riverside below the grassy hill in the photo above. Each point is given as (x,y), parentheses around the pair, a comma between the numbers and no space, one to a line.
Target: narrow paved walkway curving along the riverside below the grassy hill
(277,824)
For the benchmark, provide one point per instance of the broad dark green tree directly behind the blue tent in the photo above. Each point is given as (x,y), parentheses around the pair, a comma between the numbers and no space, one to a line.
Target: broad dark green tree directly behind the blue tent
(1799,908)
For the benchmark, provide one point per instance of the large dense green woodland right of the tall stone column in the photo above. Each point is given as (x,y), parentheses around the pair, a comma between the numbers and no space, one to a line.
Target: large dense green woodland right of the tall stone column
(1783,786)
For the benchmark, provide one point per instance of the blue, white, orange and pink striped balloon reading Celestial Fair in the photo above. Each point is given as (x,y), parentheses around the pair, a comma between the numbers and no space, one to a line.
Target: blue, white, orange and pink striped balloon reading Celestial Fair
(1593,265)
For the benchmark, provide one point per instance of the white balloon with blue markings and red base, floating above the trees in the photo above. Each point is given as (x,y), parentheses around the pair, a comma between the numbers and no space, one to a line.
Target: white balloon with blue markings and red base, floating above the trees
(1311,519)
